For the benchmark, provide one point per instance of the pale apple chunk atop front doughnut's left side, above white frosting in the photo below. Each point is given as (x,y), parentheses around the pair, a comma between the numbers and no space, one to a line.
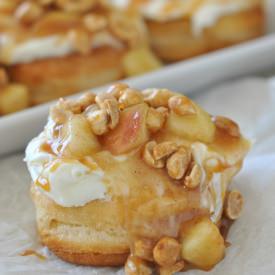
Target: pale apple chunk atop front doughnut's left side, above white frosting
(79,140)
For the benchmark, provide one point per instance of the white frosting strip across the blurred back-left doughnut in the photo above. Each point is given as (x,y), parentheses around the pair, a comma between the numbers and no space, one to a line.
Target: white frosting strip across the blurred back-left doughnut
(52,46)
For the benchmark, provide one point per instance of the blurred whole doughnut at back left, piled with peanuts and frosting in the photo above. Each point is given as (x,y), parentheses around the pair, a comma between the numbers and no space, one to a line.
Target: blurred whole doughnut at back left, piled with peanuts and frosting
(59,47)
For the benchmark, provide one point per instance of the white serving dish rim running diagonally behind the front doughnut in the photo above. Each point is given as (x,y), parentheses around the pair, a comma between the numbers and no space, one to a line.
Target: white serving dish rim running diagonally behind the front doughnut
(186,76)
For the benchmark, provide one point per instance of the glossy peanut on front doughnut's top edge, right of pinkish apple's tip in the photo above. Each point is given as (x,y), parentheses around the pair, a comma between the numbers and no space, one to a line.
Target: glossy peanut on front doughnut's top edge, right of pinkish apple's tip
(157,97)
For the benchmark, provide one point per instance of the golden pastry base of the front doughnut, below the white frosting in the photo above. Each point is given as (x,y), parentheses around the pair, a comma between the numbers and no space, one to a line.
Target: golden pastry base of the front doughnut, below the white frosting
(90,240)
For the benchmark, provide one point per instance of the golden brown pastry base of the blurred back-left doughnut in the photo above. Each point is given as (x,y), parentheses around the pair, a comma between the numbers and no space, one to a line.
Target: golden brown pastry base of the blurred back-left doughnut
(57,77)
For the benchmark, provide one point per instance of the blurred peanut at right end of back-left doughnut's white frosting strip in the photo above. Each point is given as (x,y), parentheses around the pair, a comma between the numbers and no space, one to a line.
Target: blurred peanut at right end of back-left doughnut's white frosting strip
(81,40)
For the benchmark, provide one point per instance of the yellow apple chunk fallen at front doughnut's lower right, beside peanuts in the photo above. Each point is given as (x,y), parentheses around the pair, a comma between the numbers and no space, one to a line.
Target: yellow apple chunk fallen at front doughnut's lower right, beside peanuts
(202,243)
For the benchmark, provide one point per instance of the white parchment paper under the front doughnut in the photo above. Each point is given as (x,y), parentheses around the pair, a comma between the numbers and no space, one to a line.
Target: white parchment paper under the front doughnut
(252,103)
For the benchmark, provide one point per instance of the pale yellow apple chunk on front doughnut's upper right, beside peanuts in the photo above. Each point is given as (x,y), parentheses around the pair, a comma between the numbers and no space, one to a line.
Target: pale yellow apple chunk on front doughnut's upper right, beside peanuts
(198,126)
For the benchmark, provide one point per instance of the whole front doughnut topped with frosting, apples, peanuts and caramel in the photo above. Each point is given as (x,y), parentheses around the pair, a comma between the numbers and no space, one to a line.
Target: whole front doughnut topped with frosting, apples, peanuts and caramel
(140,178)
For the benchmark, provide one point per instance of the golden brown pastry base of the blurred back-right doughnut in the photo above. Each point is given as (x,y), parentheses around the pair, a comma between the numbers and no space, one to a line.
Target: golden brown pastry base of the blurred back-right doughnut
(174,40)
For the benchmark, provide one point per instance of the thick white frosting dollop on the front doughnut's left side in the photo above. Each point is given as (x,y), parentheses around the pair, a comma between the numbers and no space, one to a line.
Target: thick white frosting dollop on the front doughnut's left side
(71,183)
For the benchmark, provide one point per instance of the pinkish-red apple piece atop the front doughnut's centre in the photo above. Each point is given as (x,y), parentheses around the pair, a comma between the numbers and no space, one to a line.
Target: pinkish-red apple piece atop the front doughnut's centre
(131,131)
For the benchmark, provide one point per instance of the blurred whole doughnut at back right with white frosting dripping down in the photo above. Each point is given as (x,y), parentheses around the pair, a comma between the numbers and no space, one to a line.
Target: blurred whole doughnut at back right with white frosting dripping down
(180,29)
